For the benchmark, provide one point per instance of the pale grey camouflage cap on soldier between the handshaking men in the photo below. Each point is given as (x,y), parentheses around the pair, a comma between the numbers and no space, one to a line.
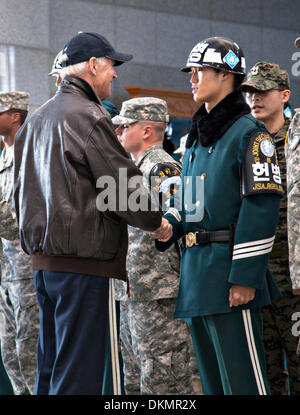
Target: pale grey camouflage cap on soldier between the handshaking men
(139,109)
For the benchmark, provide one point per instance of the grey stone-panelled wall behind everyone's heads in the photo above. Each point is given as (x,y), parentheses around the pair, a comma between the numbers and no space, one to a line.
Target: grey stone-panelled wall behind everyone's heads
(159,33)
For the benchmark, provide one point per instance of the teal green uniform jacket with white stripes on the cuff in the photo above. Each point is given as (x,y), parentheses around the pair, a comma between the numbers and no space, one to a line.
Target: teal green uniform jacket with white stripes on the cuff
(214,202)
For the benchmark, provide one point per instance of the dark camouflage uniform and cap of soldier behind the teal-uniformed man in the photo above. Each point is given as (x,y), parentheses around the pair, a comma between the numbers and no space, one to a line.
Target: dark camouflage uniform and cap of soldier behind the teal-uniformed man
(279,340)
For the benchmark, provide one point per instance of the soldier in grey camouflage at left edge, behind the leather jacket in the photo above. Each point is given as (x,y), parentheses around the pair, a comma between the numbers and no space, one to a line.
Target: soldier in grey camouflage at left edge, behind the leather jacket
(19,309)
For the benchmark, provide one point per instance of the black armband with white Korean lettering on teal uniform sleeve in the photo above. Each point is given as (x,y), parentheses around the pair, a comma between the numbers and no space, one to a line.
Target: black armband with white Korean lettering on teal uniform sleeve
(260,169)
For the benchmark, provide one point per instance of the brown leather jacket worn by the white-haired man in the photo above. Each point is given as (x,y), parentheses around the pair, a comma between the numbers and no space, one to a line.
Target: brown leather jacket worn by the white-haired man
(60,152)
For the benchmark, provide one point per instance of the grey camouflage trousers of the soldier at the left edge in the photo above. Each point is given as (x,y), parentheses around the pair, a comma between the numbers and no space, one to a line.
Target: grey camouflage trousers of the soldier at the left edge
(19,326)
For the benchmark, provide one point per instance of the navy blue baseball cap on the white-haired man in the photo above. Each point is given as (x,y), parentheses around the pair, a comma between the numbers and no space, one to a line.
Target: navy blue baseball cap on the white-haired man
(86,45)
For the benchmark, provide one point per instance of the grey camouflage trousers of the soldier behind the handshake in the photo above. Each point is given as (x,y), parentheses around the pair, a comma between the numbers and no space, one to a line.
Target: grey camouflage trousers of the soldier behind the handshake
(155,348)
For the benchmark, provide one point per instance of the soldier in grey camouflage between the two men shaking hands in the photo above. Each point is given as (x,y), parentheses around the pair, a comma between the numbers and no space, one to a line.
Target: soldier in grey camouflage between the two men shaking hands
(154,345)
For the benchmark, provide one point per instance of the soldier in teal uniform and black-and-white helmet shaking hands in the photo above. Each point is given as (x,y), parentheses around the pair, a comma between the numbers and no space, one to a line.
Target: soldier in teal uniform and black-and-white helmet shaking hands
(226,217)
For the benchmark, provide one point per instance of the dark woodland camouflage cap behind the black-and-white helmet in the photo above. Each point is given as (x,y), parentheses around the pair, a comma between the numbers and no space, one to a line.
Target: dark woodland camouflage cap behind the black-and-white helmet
(264,76)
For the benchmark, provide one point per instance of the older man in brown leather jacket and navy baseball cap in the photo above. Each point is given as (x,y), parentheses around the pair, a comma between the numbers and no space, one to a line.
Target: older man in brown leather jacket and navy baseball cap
(62,152)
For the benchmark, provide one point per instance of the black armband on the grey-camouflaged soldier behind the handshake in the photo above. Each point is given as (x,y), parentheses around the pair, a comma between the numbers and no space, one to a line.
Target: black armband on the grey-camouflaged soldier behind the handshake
(165,181)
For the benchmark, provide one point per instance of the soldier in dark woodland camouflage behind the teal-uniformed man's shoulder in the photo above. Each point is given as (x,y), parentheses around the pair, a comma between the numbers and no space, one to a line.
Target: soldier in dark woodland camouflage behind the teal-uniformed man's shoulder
(267,88)
